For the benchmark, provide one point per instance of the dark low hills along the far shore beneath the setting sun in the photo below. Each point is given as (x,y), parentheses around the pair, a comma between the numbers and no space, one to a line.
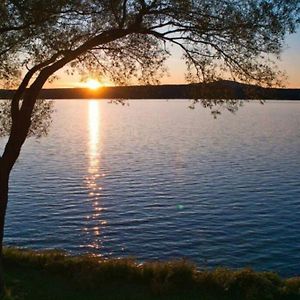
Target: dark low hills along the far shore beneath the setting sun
(214,90)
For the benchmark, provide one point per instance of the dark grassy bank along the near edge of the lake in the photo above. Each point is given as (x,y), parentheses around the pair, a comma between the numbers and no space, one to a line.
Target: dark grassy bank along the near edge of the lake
(52,275)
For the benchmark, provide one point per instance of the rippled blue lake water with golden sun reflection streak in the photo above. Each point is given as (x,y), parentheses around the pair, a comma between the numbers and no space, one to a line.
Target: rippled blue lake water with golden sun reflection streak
(157,180)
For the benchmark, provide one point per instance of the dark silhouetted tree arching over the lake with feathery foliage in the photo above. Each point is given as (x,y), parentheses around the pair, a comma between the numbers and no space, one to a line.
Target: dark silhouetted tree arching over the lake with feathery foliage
(131,39)
